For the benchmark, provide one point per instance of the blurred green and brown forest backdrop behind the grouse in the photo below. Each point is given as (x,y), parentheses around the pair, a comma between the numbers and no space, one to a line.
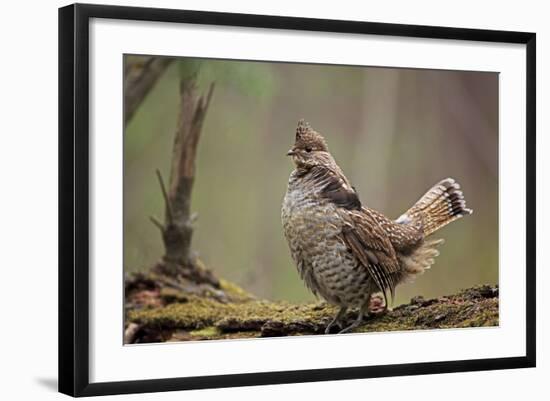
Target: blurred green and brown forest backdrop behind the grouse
(394,132)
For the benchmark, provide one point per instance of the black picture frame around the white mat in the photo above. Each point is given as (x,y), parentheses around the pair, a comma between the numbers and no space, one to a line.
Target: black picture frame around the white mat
(74,198)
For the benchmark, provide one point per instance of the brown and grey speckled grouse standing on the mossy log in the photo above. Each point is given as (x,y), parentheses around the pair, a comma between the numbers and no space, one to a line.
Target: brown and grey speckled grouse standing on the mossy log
(346,252)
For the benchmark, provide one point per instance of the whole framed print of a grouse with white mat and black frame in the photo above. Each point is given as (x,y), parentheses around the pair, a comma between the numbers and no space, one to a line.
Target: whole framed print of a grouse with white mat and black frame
(290,198)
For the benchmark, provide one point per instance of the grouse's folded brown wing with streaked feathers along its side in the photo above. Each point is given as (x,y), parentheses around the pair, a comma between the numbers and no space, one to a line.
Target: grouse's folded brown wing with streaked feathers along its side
(371,245)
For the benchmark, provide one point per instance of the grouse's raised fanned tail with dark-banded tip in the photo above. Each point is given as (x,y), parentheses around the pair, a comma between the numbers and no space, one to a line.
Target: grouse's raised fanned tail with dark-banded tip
(441,205)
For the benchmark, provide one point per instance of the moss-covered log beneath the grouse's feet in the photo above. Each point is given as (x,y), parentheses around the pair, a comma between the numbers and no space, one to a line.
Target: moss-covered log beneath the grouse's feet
(166,314)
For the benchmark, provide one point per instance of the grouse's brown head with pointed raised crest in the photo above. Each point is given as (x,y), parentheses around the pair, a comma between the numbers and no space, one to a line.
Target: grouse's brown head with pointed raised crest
(310,148)
